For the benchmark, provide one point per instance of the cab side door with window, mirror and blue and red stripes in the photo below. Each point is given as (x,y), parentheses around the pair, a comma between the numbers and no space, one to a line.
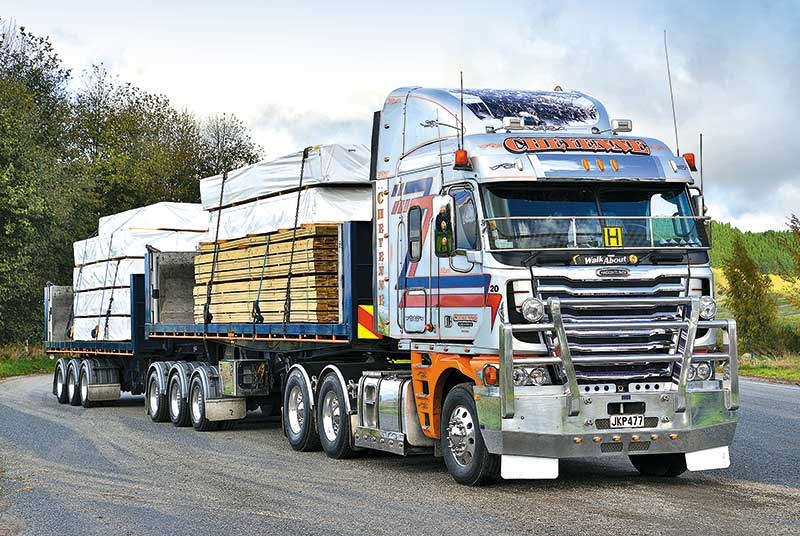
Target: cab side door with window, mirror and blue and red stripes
(459,296)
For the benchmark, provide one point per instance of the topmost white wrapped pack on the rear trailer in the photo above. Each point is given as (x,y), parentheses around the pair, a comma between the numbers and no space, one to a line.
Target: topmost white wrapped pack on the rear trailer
(160,216)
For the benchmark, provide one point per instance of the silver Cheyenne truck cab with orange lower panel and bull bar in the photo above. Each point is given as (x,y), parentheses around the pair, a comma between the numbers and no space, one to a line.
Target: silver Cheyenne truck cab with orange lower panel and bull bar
(558,271)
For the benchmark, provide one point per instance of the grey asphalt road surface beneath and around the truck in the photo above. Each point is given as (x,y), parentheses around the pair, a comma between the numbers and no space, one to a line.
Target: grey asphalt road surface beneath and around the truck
(109,470)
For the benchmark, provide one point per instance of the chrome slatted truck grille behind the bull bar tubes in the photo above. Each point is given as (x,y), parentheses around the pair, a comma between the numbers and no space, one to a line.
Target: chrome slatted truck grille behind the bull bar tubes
(620,341)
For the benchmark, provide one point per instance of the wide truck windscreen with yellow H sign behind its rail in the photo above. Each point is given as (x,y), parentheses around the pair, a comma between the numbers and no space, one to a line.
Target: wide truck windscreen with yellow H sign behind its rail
(531,217)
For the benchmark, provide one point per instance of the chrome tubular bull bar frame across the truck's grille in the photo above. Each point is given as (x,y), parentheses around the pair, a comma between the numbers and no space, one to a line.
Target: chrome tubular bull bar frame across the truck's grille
(688,328)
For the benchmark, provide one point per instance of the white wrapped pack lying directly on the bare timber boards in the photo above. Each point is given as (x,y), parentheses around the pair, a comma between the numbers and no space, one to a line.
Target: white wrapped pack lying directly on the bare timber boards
(317,205)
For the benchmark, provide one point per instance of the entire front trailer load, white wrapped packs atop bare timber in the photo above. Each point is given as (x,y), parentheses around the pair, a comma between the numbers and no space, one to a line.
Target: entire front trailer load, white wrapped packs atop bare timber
(253,211)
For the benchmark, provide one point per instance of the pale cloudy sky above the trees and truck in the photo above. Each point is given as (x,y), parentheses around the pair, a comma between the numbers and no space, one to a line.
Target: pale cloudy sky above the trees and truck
(304,73)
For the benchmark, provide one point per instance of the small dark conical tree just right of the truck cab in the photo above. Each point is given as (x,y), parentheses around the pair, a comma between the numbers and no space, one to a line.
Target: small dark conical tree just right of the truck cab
(754,307)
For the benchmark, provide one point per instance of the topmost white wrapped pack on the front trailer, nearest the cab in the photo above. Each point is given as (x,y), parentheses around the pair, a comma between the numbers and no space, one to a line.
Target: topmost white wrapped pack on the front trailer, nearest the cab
(325,165)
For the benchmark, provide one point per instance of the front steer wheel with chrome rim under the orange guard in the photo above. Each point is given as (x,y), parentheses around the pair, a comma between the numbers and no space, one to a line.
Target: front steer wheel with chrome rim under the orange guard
(465,454)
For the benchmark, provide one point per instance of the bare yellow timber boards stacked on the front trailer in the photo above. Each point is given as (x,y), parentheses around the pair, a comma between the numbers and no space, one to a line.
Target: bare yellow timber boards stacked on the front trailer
(256,269)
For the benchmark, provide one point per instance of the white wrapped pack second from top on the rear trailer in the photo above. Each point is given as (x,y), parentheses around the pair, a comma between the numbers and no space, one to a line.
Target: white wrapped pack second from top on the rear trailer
(134,243)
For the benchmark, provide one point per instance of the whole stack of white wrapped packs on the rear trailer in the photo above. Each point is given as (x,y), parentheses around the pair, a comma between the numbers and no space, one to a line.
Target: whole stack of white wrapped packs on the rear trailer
(101,303)
